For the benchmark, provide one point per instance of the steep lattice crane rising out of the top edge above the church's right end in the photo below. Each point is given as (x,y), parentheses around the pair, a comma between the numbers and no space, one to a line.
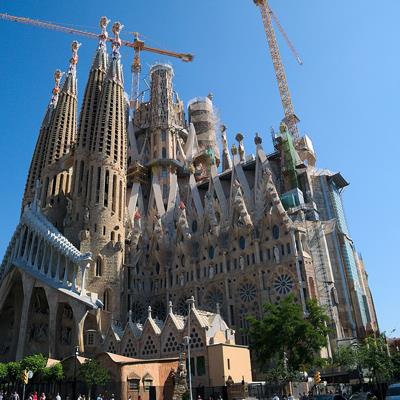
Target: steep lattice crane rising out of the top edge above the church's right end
(290,119)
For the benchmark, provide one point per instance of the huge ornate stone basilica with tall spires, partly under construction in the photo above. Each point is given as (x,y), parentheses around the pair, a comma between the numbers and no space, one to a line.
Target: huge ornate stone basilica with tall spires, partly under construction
(126,216)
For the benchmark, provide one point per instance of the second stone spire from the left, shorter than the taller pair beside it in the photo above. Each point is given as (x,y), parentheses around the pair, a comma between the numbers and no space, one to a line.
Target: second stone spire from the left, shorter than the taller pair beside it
(61,134)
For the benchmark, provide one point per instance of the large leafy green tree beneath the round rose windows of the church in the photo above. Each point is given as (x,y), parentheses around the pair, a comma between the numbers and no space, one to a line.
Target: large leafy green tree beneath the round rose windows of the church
(285,335)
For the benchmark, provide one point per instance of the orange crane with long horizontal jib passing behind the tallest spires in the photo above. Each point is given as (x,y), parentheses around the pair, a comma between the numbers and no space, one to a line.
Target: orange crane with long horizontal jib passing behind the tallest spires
(137,45)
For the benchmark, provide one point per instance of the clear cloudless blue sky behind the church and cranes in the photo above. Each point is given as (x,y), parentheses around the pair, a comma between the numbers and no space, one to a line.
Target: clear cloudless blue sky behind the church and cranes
(346,94)
